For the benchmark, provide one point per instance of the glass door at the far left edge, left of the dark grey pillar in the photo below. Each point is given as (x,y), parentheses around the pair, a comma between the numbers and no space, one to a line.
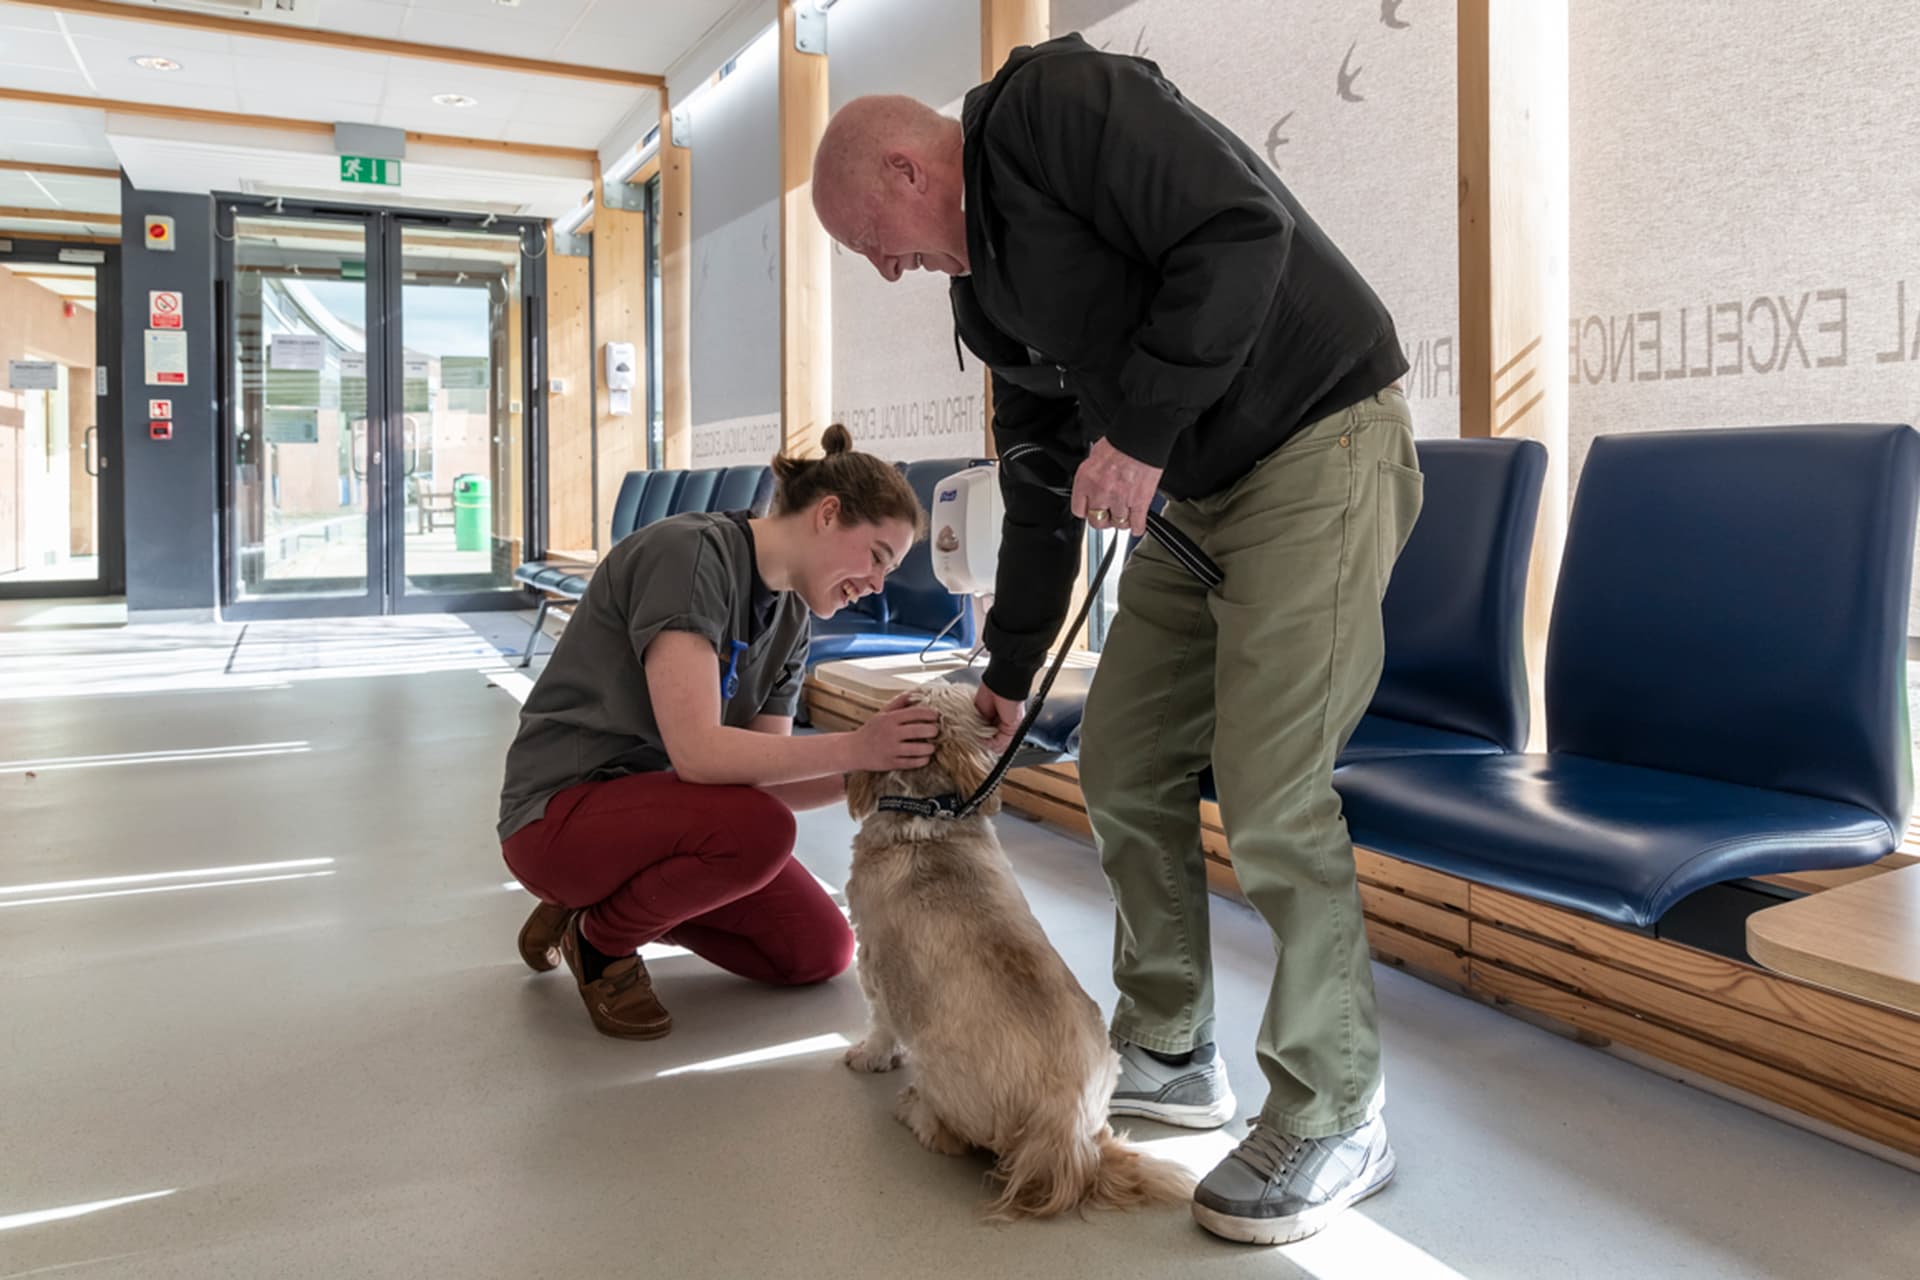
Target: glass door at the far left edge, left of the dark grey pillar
(60,498)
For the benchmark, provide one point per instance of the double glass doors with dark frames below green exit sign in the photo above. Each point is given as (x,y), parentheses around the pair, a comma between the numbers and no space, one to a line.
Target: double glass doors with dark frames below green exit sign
(379,414)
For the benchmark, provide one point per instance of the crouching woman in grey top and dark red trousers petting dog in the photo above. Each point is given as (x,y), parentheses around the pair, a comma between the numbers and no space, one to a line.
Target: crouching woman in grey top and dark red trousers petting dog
(652,788)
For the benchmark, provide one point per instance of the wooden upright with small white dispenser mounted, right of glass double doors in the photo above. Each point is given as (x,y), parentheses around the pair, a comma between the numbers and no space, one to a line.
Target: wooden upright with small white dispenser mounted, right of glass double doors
(619,316)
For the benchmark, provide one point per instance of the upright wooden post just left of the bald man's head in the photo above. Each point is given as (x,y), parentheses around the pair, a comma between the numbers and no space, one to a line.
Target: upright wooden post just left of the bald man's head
(805,252)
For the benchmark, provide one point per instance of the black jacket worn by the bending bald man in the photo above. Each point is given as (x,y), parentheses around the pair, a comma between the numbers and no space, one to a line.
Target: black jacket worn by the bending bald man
(1138,275)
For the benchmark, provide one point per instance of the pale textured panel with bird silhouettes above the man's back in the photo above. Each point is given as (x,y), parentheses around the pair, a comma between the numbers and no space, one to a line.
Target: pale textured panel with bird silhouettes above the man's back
(1378,176)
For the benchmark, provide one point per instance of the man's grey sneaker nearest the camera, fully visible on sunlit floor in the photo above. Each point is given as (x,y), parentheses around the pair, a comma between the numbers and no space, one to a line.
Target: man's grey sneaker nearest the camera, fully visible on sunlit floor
(1276,1189)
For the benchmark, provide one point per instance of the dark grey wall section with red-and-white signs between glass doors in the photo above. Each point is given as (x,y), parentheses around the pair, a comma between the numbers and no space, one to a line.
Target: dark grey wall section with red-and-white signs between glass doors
(172,494)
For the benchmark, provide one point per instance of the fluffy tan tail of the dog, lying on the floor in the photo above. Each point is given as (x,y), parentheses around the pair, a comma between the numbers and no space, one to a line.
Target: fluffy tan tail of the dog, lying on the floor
(1047,1173)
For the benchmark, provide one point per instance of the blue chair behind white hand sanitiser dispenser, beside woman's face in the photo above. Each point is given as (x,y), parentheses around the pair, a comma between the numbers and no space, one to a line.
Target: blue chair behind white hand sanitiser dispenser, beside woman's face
(913,609)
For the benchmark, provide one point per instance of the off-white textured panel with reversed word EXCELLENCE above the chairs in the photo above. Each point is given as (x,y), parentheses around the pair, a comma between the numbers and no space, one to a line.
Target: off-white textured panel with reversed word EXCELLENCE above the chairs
(1735,176)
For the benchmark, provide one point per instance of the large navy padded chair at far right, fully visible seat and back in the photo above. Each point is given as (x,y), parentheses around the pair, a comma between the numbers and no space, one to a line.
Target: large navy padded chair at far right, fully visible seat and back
(1727,682)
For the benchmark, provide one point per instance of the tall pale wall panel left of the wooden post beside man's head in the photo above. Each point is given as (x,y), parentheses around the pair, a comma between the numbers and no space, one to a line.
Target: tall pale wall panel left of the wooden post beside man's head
(736,262)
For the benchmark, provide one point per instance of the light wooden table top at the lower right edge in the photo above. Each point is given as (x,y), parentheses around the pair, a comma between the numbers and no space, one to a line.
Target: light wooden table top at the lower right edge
(1861,939)
